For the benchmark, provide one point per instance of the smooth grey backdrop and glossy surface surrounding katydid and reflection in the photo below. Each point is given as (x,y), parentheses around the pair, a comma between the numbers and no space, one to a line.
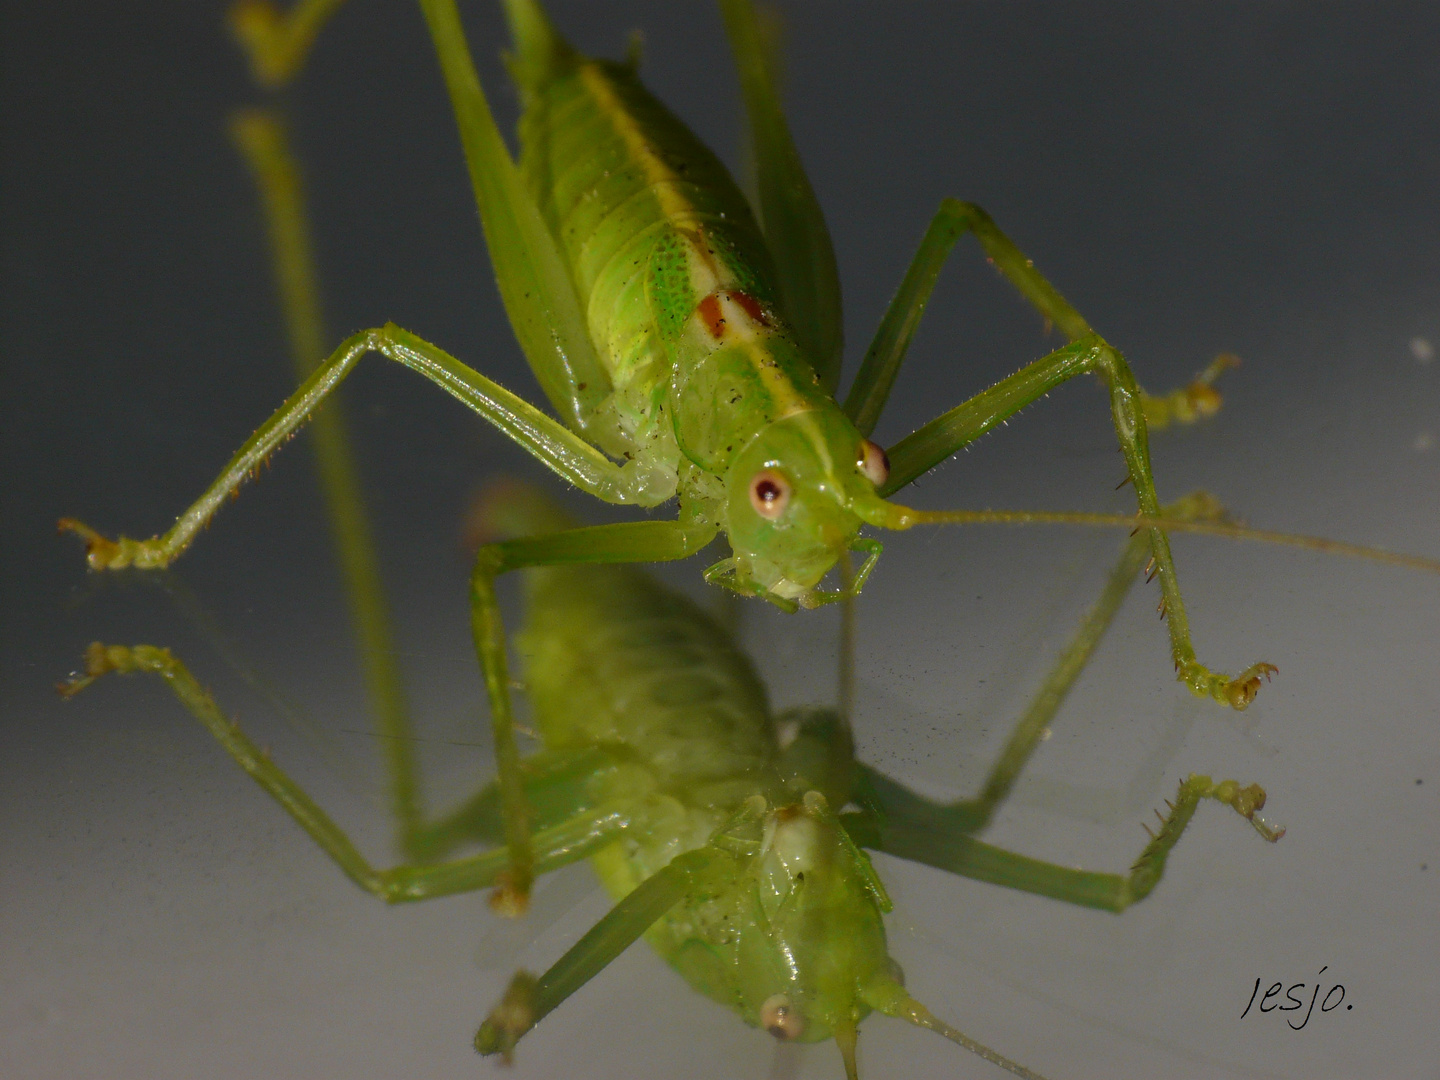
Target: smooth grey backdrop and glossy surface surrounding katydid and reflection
(1258,178)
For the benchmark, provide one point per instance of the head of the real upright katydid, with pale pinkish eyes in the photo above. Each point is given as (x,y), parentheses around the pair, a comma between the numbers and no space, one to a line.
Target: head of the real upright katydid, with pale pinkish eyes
(793,498)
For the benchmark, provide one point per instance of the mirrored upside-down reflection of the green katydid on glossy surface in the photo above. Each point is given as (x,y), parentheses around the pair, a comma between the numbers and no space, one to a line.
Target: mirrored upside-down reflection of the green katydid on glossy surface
(718,827)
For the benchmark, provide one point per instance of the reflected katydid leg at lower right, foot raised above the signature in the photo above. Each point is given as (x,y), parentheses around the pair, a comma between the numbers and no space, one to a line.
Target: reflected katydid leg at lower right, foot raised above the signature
(937,843)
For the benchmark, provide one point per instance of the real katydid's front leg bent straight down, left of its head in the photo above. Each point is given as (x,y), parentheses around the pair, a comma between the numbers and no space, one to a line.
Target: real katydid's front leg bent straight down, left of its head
(630,542)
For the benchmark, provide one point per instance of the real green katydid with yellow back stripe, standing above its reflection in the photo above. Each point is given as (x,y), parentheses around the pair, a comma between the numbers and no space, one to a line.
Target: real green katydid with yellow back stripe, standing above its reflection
(692,351)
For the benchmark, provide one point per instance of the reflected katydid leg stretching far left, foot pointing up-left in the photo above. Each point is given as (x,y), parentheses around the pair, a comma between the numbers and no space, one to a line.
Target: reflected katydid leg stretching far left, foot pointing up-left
(564,843)
